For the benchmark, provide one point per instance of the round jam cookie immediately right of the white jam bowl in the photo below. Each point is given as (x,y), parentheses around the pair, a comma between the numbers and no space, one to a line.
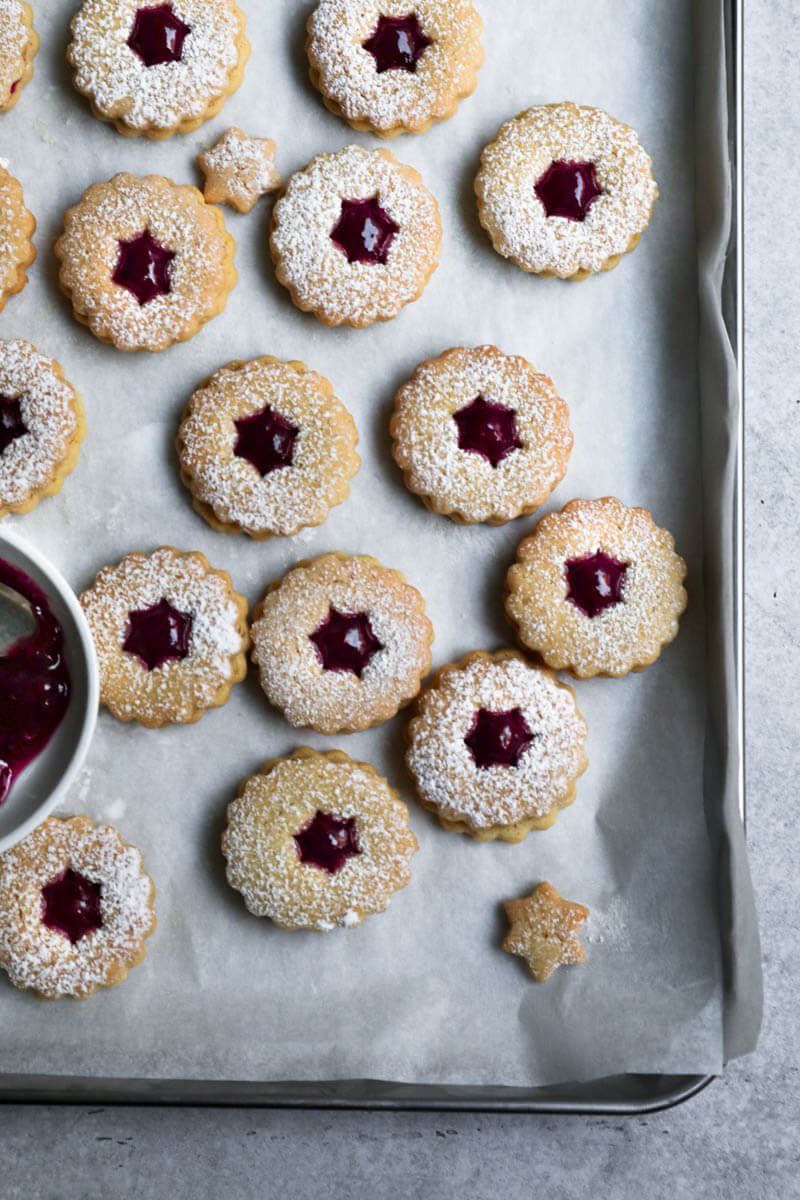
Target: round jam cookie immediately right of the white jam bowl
(171,637)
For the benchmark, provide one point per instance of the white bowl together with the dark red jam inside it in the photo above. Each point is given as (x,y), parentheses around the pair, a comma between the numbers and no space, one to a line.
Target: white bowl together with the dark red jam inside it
(49,688)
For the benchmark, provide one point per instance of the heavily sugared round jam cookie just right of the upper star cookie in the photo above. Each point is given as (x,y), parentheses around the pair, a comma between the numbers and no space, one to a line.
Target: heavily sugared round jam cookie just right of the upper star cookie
(356,237)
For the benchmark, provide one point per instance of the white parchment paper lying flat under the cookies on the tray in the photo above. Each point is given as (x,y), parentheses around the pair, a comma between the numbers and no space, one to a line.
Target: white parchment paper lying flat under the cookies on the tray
(423,993)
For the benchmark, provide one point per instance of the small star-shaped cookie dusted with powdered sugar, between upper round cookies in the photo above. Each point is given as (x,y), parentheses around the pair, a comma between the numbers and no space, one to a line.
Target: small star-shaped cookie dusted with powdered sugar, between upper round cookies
(239,170)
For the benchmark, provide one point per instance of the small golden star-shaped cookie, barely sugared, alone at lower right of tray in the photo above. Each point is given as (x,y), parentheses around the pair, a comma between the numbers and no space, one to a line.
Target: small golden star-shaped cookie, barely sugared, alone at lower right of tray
(545,931)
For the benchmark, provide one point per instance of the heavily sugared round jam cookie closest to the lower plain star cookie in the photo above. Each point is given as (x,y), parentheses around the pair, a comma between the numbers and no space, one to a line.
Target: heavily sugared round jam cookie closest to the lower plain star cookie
(496,747)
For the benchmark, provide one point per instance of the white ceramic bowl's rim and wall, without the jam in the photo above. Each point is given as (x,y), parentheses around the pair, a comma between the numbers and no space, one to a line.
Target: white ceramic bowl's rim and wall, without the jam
(44,783)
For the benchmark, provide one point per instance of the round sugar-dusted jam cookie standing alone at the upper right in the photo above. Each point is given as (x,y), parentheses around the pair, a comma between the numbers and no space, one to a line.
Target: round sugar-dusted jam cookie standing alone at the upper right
(566,191)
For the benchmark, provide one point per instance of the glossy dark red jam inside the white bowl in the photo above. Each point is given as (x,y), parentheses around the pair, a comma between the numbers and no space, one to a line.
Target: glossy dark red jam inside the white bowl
(34,683)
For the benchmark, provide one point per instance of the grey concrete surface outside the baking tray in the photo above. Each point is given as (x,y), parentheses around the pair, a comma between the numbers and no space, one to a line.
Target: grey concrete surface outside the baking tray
(739,1139)
